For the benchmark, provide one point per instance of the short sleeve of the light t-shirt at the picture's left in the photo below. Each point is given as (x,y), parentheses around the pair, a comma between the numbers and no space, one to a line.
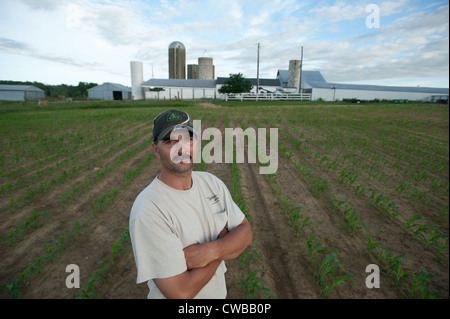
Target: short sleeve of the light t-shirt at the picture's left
(157,249)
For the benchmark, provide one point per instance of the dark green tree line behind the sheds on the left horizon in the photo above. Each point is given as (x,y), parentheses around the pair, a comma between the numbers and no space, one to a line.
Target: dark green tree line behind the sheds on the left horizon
(73,91)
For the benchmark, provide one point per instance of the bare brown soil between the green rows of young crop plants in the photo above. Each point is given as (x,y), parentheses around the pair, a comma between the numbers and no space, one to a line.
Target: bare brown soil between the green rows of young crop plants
(287,271)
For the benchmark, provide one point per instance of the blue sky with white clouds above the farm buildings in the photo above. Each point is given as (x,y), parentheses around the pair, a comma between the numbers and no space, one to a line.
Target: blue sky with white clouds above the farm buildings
(399,43)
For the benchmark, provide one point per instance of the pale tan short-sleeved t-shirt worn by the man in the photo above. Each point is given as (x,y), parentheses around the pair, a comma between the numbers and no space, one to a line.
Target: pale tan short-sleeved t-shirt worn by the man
(164,220)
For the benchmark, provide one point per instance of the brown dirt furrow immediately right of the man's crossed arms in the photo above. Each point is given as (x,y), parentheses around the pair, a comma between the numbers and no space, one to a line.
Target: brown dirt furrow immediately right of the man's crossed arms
(277,244)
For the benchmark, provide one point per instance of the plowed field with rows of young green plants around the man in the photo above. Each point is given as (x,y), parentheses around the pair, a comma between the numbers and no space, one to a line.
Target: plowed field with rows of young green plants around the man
(355,186)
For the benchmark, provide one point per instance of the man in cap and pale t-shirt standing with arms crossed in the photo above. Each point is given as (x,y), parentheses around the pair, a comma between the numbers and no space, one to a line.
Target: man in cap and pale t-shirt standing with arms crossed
(185,223)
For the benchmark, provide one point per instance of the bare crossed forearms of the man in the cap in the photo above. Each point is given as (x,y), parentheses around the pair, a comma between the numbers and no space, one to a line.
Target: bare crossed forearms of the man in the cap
(202,261)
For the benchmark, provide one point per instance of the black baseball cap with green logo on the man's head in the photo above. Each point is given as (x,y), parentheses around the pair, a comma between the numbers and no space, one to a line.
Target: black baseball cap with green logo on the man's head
(169,120)
